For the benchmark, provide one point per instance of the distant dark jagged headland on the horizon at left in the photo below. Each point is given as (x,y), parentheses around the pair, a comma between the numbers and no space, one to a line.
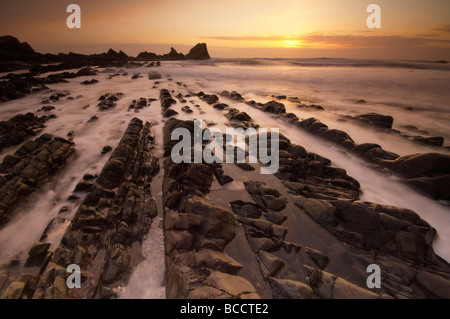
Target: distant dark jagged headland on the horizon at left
(18,56)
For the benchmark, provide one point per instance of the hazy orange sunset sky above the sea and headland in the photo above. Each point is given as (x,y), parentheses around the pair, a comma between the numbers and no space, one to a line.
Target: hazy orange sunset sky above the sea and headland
(410,29)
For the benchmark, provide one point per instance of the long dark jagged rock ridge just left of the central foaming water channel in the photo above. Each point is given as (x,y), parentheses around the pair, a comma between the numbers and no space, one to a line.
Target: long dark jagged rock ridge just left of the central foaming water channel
(103,237)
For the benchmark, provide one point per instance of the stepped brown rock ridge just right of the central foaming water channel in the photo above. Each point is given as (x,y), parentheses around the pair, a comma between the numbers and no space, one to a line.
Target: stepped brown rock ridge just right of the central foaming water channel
(197,231)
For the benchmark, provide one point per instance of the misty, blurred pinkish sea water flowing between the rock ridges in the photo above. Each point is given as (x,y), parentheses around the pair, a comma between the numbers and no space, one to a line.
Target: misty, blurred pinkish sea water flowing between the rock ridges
(388,87)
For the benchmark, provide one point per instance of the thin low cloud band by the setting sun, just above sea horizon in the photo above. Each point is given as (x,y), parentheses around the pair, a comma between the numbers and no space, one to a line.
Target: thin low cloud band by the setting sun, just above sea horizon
(345,40)
